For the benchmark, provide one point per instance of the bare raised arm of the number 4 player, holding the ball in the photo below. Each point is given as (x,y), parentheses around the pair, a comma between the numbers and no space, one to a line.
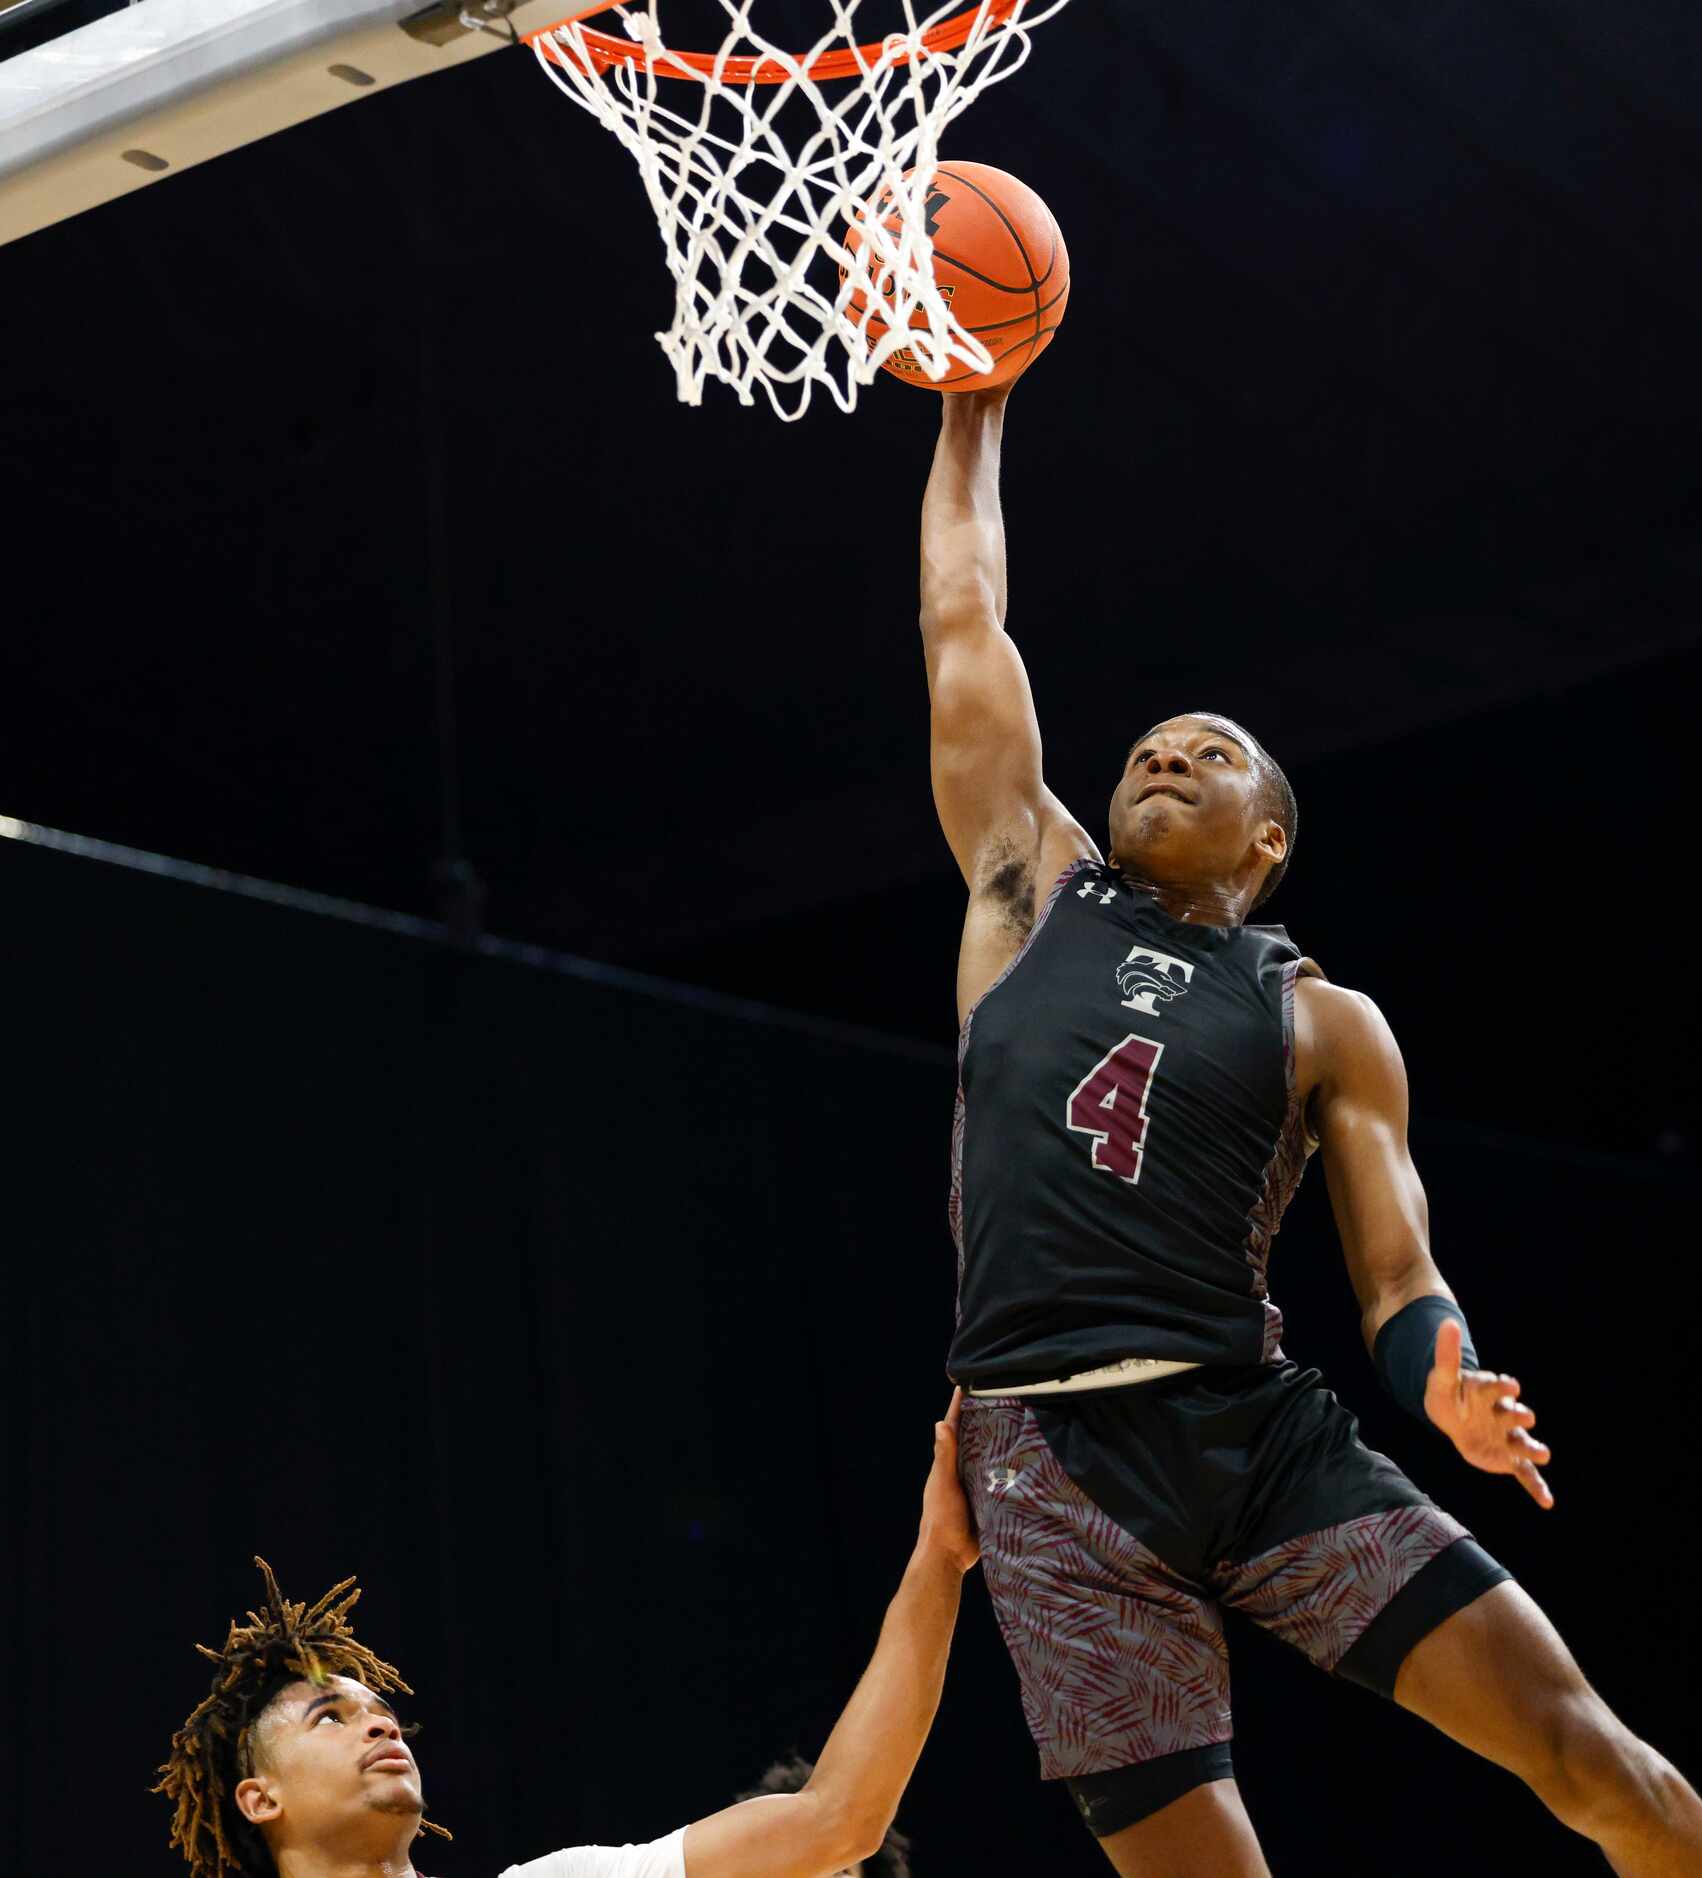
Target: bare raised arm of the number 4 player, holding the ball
(1004,827)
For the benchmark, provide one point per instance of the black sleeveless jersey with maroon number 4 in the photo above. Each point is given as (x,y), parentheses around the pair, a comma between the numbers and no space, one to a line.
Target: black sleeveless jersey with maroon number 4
(1126,1141)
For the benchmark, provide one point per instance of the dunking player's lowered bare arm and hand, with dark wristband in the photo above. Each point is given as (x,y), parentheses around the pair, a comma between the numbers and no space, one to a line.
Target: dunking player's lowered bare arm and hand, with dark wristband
(1359,1109)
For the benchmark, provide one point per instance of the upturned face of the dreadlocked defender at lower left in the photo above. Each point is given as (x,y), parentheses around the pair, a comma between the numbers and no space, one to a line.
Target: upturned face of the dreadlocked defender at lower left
(332,1766)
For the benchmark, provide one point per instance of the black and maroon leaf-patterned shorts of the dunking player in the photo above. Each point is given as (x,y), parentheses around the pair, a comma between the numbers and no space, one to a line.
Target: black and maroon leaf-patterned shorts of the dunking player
(1119,1526)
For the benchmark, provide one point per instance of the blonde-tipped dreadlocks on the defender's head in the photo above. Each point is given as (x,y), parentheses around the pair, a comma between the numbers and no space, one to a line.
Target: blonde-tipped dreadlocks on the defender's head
(211,1755)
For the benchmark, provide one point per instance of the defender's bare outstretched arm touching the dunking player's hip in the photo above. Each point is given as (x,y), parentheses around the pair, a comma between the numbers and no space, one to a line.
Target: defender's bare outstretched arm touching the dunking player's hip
(848,1806)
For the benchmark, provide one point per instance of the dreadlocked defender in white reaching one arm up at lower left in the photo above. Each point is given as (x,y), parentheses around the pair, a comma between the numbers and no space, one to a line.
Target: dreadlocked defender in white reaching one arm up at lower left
(298,1764)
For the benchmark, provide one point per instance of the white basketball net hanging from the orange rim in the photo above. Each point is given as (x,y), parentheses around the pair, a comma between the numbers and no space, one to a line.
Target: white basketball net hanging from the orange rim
(754,232)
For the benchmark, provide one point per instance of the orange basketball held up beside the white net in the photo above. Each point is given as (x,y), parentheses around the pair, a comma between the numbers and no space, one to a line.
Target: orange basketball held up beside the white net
(1002,266)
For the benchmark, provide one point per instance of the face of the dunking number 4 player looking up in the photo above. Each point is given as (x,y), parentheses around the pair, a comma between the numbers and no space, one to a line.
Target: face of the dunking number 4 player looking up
(1186,807)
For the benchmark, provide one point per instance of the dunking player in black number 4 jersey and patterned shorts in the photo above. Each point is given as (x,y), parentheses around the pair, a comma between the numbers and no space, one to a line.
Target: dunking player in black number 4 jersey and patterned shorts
(1143,1077)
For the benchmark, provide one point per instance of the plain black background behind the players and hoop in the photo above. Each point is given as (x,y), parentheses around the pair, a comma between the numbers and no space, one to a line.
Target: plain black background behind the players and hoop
(356,542)
